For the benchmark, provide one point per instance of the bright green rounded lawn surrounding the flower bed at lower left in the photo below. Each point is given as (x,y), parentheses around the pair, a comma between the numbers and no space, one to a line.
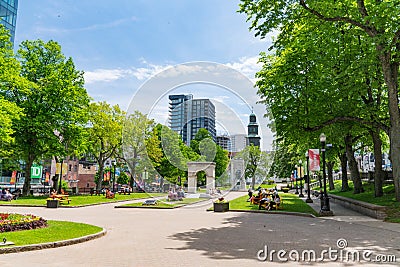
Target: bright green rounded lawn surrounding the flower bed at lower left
(56,231)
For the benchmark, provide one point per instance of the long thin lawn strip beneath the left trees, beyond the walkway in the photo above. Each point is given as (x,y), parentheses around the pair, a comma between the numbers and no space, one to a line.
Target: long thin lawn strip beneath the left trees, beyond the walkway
(80,200)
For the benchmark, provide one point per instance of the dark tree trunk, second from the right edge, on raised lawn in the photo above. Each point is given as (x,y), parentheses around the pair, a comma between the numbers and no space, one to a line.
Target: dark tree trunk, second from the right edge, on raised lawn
(378,174)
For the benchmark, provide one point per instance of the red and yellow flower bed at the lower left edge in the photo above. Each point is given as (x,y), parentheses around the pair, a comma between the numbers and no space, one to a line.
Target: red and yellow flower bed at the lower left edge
(10,222)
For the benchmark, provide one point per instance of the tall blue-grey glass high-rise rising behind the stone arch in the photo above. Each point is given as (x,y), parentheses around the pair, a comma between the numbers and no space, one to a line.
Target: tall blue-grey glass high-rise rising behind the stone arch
(188,115)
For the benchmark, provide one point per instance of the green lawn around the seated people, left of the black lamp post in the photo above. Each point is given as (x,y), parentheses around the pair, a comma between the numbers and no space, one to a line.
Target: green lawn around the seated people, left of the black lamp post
(290,203)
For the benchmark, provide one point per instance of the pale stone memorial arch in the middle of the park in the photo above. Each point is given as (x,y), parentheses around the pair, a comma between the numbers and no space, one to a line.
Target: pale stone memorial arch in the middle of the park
(194,168)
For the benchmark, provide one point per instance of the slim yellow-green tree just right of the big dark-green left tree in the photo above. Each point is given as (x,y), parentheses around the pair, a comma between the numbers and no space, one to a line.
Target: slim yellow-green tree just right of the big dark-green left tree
(104,134)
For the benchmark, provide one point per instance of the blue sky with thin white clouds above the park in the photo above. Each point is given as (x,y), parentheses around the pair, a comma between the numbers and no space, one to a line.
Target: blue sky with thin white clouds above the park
(121,44)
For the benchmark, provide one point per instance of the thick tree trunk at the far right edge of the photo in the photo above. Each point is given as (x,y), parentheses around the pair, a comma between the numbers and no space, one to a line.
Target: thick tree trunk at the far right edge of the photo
(391,74)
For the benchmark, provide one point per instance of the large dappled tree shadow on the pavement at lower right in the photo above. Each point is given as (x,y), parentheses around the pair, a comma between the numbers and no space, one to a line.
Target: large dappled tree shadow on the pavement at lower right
(244,235)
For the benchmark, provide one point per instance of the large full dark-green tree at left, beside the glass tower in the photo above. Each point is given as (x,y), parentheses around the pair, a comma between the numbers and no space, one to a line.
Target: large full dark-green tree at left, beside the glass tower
(54,101)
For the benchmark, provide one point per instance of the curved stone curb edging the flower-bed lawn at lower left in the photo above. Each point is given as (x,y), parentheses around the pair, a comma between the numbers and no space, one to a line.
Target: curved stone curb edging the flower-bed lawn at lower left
(55,244)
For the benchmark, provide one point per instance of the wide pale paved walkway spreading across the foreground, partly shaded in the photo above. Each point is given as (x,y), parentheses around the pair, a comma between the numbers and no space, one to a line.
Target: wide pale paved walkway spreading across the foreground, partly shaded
(191,236)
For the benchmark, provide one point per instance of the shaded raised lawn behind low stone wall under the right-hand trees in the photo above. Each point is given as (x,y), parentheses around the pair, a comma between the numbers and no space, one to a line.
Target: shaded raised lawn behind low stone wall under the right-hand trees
(388,199)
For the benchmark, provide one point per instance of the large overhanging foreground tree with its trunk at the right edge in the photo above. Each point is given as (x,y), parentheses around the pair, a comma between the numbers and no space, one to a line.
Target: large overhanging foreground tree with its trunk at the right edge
(372,20)
